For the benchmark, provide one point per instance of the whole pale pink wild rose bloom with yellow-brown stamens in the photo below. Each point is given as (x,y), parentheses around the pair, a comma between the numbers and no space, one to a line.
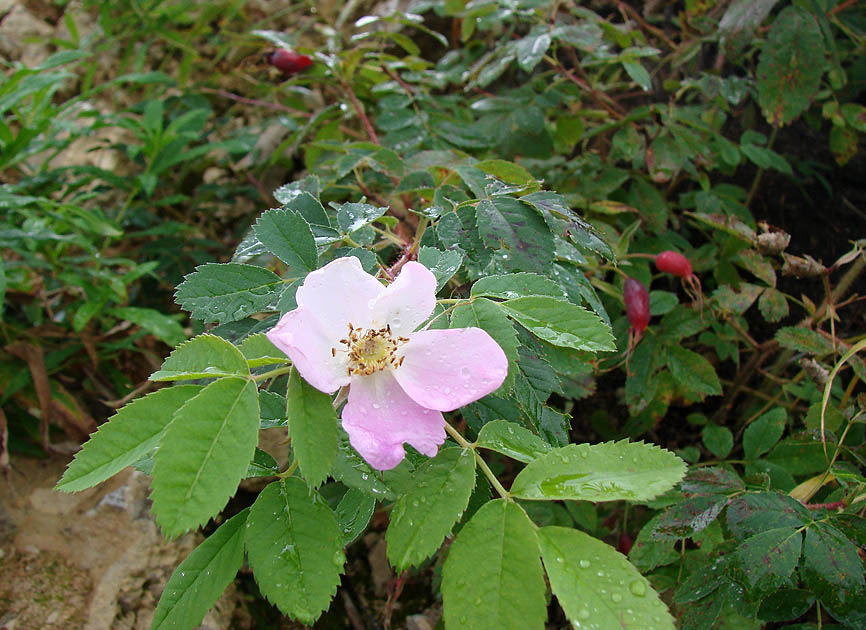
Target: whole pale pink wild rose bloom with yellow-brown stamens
(351,330)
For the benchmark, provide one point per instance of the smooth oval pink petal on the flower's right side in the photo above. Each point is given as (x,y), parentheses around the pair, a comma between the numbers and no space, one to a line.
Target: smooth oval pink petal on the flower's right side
(446,369)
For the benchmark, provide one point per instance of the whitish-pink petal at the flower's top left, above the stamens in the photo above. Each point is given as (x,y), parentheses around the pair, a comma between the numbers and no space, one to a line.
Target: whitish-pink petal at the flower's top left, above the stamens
(339,294)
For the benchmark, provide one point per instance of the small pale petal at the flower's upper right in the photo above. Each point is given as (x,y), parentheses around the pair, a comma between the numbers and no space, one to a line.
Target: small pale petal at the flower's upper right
(407,302)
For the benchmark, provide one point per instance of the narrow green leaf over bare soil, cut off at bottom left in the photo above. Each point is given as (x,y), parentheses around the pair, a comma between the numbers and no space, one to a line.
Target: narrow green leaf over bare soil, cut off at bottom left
(200,579)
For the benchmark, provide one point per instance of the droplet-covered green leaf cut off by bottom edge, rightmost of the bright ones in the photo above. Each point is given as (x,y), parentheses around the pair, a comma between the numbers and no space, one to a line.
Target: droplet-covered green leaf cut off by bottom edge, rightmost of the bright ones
(597,585)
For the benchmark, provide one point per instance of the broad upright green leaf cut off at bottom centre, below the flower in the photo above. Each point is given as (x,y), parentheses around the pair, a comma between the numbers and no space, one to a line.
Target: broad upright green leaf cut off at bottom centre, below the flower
(492,579)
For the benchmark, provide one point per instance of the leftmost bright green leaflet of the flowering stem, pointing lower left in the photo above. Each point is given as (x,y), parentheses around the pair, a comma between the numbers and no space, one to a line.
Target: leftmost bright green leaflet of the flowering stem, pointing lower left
(129,434)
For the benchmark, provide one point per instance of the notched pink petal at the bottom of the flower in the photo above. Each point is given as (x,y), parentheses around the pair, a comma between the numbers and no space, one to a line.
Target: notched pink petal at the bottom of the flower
(379,417)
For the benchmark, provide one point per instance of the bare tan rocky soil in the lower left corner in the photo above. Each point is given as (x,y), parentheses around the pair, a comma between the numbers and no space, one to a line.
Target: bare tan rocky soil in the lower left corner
(93,560)
